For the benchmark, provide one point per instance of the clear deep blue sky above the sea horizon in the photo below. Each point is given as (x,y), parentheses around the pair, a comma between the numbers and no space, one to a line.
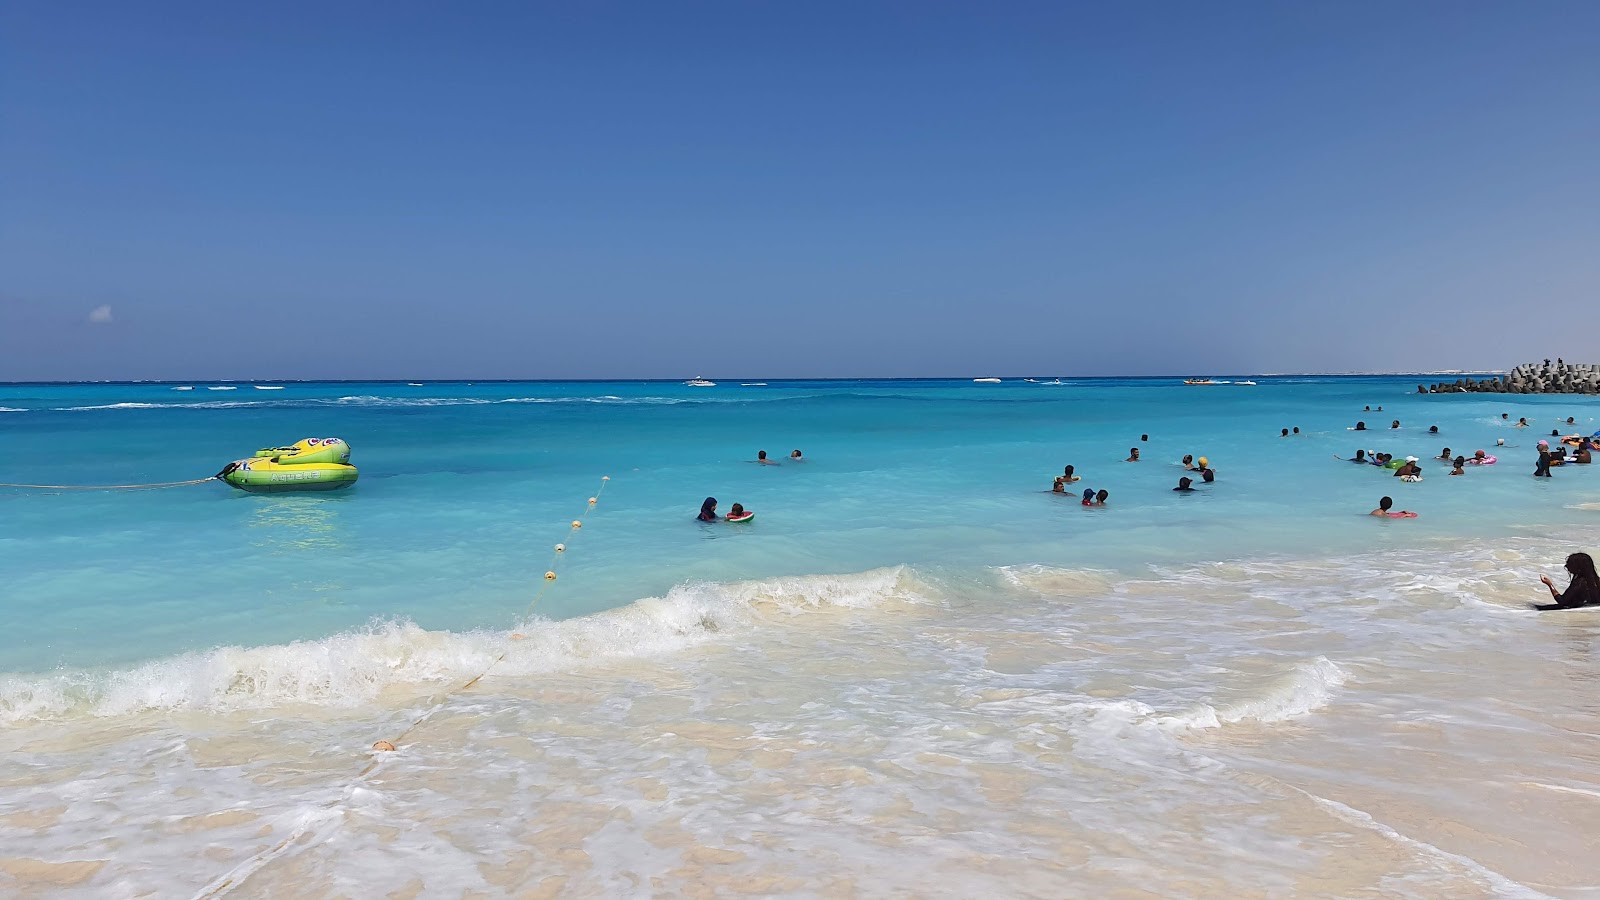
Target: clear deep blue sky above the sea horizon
(794,190)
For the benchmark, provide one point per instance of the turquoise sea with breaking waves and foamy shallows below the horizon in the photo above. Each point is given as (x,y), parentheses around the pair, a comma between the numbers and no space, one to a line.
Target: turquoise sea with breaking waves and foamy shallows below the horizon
(914,673)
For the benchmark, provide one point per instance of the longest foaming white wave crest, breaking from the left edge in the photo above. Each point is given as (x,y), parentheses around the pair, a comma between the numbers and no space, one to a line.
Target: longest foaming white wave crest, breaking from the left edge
(356,667)
